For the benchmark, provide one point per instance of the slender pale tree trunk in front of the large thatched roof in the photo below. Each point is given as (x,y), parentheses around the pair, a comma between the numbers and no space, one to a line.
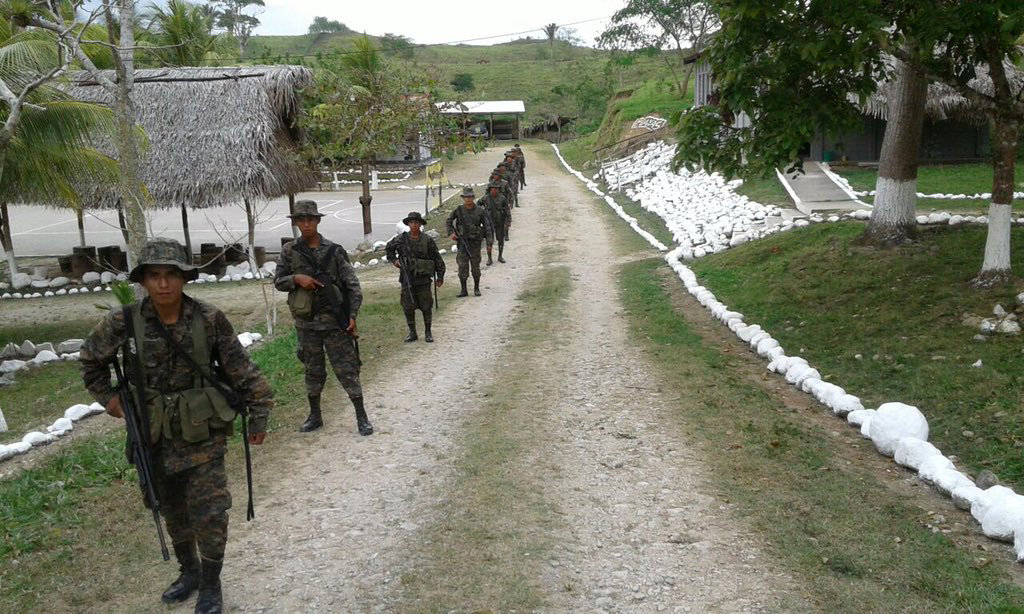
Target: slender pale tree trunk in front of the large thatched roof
(134,197)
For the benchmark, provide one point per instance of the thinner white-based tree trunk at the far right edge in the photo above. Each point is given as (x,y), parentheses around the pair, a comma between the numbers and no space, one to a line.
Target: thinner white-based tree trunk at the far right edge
(997,270)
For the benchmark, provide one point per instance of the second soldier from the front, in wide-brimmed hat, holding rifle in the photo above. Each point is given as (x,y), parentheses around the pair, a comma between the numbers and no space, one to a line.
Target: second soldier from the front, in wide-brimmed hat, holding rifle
(317,320)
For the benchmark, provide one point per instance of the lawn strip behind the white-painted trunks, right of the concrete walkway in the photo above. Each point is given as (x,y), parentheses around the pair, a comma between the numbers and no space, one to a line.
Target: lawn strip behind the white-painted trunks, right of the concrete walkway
(942,180)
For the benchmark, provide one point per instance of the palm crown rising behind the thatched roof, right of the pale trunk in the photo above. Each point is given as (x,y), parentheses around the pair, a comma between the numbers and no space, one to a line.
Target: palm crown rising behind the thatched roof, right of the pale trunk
(181,34)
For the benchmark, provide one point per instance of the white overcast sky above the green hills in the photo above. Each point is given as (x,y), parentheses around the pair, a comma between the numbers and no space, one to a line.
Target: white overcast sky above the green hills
(444,21)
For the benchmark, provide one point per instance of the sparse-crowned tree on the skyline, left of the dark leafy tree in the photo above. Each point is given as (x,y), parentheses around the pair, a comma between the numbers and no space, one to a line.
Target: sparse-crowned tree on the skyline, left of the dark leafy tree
(680,26)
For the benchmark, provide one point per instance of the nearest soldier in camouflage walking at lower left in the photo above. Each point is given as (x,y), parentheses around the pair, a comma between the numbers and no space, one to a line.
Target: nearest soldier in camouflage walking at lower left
(189,454)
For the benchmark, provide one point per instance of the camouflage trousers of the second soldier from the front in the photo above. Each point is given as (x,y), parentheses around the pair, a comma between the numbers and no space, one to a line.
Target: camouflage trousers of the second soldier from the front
(340,348)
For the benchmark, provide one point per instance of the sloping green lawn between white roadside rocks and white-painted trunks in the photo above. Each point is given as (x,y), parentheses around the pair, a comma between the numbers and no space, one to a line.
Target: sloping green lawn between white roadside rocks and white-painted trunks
(902,311)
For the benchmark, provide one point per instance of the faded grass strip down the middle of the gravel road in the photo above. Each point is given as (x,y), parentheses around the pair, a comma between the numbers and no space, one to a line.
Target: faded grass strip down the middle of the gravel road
(485,553)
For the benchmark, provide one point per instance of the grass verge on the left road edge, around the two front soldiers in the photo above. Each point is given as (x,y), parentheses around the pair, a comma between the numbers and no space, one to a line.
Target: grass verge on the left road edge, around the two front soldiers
(74,536)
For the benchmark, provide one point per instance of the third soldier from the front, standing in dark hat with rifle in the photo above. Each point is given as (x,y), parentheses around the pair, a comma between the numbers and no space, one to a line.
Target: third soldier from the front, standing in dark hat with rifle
(419,253)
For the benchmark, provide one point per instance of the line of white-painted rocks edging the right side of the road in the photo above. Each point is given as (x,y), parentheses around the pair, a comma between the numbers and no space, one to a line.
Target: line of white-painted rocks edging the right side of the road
(898,430)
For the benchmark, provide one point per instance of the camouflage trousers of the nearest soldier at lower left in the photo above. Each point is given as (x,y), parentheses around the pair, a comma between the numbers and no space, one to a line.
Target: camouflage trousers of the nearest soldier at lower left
(195,504)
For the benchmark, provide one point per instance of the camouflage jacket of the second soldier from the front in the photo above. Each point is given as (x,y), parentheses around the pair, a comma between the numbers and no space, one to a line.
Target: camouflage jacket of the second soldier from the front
(340,272)
